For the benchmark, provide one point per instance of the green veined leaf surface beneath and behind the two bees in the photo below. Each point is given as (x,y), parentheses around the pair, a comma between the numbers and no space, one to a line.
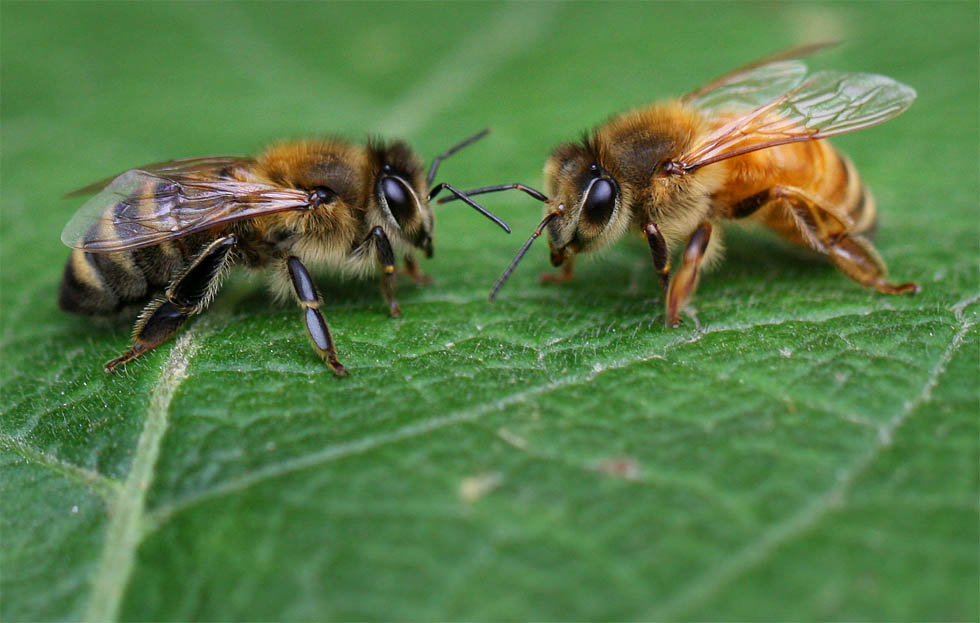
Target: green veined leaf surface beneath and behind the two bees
(809,452)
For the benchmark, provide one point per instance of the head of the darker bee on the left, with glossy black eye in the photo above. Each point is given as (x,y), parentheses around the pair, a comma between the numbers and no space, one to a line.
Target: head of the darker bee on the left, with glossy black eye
(400,195)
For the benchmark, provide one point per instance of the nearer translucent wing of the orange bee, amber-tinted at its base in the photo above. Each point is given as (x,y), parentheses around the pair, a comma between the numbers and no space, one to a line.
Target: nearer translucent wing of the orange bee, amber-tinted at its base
(826,104)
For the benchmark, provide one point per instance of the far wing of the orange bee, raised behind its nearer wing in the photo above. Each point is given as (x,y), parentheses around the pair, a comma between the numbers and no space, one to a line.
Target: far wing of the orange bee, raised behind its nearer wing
(755,84)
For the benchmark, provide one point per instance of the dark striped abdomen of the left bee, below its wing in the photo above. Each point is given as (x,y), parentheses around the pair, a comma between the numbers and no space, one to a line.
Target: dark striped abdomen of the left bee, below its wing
(103,283)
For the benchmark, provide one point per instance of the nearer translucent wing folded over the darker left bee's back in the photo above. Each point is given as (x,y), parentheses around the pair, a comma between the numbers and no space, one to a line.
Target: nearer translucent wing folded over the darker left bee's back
(140,208)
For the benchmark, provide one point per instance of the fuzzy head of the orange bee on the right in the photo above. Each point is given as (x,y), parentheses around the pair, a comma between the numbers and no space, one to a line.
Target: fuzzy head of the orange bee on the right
(590,197)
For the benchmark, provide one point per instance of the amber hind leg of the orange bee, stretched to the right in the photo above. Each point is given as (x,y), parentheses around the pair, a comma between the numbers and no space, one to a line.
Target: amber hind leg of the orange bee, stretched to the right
(811,222)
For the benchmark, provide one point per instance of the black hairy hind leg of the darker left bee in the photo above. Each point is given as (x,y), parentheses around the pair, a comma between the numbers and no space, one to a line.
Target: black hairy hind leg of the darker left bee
(189,294)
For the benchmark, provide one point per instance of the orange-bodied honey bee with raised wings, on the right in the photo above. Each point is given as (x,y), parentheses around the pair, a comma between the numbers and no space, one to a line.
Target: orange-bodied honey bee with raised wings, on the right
(747,144)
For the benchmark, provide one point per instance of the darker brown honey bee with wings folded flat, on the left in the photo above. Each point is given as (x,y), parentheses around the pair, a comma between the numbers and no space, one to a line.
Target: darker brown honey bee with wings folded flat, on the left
(163,235)
